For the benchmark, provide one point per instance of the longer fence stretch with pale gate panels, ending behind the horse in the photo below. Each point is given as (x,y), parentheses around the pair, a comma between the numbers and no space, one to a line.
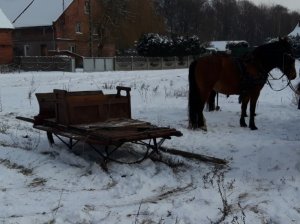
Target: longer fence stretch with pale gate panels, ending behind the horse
(134,63)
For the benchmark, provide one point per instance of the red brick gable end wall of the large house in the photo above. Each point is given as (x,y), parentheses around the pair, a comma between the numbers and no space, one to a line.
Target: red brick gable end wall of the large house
(75,29)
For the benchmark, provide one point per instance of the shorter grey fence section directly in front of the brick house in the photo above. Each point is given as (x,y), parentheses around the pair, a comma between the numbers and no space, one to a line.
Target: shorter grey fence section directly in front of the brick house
(37,63)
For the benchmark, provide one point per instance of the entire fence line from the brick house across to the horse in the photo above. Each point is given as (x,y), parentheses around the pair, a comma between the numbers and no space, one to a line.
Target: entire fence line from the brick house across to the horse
(63,63)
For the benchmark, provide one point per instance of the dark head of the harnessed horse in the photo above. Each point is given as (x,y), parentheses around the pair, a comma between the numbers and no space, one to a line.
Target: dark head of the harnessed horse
(285,58)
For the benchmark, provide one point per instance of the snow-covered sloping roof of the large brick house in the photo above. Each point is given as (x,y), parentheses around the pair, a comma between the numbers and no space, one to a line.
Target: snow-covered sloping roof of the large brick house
(39,13)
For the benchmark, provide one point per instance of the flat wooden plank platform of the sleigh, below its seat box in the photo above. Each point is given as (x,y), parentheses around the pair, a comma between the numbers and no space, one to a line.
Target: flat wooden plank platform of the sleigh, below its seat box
(138,130)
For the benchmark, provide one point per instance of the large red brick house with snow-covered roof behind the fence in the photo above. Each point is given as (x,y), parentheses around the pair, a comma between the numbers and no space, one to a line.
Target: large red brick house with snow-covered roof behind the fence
(52,26)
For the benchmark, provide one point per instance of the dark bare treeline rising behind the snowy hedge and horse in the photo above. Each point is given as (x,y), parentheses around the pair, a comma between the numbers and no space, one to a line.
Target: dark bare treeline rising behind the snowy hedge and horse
(226,19)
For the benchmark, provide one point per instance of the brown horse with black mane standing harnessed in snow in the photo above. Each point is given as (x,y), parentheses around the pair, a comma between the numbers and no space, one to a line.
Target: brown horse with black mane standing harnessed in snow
(244,76)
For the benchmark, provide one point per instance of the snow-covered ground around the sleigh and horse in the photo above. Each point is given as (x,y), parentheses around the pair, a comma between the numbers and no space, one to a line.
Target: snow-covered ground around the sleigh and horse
(40,184)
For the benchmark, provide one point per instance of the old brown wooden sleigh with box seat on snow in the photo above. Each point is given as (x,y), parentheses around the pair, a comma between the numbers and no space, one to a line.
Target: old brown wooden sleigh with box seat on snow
(104,120)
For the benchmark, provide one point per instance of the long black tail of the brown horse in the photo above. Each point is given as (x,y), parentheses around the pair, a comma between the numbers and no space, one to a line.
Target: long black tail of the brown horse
(193,97)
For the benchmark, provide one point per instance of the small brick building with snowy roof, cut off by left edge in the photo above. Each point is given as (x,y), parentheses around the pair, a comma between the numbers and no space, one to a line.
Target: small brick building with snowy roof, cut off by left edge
(6,44)
